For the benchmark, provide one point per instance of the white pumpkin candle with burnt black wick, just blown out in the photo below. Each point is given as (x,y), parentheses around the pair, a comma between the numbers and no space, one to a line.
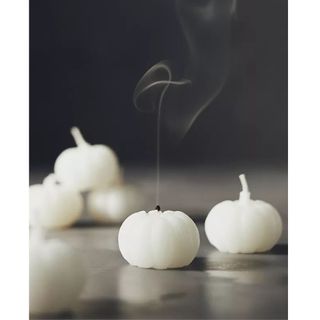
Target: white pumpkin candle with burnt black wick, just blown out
(159,240)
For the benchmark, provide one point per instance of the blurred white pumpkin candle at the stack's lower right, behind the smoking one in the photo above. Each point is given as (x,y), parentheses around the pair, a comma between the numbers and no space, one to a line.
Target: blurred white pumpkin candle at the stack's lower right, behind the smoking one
(114,205)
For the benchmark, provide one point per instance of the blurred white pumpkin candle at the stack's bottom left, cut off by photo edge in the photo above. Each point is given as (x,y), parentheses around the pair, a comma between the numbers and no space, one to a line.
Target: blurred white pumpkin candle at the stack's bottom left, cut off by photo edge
(54,205)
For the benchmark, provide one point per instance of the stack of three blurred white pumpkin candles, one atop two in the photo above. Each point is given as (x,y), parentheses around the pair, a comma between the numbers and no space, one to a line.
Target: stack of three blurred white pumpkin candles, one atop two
(91,169)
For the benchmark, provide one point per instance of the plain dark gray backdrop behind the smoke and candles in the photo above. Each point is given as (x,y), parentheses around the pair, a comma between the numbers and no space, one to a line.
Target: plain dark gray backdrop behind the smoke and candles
(87,56)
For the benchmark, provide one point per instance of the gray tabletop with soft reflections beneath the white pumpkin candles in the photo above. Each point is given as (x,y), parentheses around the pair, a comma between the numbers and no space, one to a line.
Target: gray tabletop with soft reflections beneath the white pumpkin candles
(214,286)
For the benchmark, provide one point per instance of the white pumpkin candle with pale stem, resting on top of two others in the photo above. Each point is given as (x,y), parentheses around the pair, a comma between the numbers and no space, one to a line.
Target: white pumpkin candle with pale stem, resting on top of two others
(87,167)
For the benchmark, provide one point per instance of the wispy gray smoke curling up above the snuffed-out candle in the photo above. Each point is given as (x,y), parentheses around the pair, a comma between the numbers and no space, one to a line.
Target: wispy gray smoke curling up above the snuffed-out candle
(206,27)
